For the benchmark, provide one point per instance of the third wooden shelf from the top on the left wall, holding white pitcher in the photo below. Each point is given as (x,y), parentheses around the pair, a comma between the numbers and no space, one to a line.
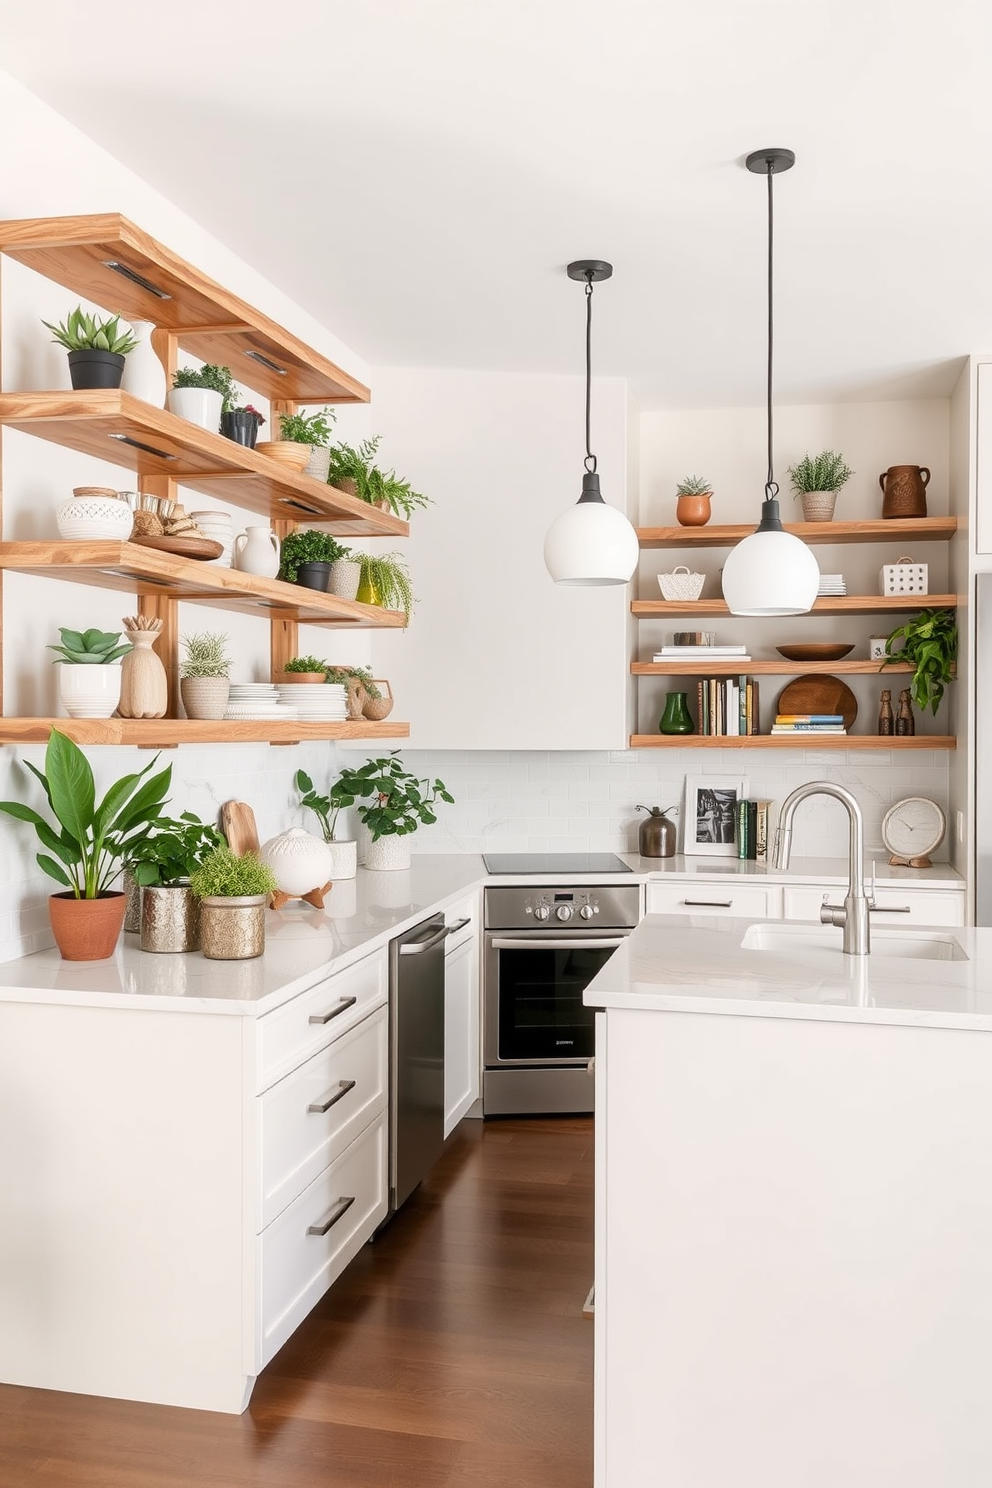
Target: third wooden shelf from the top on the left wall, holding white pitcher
(149,572)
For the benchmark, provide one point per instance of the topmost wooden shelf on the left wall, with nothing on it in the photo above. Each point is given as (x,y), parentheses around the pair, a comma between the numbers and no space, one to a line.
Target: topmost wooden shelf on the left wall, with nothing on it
(209,321)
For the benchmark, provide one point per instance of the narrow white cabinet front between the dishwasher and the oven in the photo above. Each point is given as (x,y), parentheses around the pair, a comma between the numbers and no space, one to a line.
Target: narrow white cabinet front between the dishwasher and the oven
(462,1011)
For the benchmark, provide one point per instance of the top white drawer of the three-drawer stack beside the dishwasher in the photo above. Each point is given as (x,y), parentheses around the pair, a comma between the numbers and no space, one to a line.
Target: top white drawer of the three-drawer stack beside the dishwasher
(319,1016)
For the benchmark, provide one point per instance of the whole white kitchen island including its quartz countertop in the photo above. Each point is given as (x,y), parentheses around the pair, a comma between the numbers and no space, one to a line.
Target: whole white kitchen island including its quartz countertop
(793,1209)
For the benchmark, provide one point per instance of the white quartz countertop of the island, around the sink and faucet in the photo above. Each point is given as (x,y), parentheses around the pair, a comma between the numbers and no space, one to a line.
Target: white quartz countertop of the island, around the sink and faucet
(692,963)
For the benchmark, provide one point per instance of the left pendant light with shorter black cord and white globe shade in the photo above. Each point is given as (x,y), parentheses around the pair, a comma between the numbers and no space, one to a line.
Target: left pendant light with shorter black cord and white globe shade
(591,544)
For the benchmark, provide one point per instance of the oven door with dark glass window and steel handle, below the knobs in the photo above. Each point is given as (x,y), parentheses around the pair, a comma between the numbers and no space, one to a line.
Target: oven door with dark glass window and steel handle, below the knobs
(535,981)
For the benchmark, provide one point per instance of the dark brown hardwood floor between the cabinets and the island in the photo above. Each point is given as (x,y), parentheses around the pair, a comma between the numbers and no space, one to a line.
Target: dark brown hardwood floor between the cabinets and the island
(453,1352)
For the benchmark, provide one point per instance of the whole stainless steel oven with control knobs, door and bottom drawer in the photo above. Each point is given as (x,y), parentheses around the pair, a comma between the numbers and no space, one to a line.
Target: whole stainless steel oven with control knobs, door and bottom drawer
(544,946)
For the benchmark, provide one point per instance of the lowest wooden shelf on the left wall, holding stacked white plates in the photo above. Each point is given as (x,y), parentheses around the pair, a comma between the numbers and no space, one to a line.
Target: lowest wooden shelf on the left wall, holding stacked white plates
(169,733)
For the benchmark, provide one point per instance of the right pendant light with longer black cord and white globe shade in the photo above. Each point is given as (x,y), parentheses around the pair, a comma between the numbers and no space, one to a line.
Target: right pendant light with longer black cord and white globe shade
(771,572)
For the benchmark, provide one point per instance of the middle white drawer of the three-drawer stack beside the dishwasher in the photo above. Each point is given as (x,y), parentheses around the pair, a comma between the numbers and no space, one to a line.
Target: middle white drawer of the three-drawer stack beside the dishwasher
(297,1138)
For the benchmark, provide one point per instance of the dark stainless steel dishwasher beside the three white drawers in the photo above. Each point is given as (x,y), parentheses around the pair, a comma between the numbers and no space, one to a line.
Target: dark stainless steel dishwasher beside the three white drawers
(417,1056)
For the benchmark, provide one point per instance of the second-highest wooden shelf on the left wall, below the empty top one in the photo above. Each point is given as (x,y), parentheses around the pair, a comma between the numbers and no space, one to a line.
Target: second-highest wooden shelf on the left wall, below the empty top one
(115,426)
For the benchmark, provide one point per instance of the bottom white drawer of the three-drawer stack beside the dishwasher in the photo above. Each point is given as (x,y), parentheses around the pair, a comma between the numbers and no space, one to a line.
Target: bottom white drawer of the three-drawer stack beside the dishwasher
(297,1267)
